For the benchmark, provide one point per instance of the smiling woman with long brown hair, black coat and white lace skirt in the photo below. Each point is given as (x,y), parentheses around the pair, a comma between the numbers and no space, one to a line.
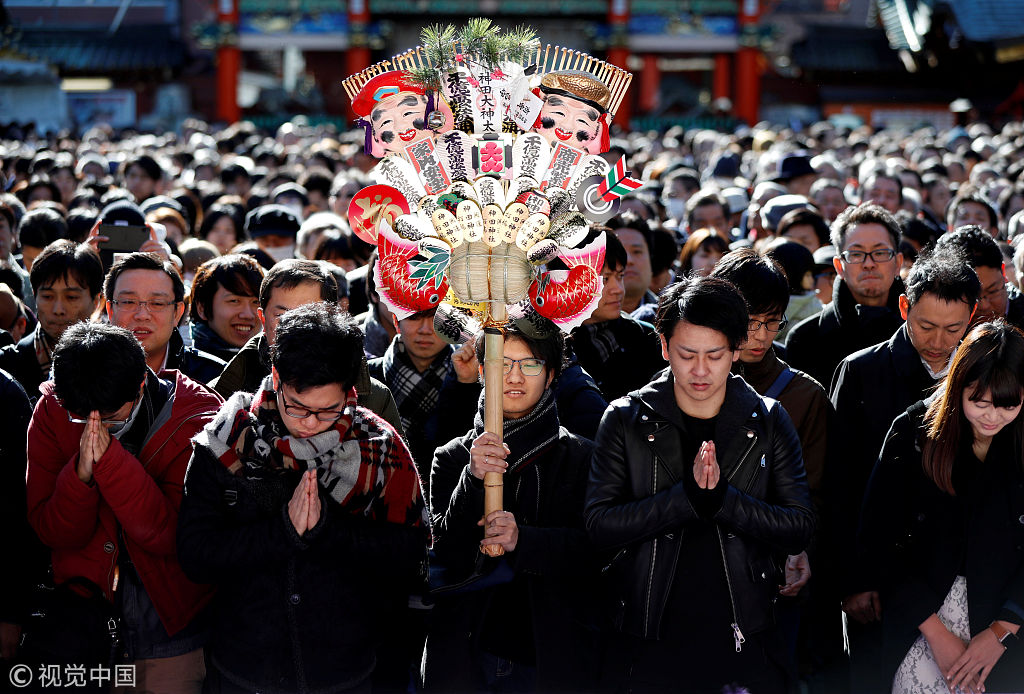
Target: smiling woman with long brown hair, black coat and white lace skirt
(943,527)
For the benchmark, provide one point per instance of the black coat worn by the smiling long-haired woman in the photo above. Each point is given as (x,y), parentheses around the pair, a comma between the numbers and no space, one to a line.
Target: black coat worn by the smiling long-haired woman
(915,540)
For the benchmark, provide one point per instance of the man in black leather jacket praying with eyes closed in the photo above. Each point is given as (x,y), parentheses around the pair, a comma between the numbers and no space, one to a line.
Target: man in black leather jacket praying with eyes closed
(699,486)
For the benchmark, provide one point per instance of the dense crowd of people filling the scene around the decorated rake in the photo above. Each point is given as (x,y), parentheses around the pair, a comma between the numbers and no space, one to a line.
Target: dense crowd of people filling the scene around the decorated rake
(785,453)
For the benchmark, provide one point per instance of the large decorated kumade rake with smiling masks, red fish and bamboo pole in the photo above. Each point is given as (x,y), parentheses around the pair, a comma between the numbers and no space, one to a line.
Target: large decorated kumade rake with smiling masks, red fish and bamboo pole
(489,186)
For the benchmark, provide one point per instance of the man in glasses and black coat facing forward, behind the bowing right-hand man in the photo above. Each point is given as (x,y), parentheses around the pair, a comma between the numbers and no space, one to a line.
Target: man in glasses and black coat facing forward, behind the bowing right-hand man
(865,310)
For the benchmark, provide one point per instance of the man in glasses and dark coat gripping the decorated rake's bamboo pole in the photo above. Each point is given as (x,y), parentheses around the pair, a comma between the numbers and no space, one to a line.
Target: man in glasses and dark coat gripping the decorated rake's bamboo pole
(534,632)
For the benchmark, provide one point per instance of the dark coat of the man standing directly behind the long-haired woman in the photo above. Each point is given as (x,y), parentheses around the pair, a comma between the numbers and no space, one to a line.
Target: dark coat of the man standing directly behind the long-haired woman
(873,388)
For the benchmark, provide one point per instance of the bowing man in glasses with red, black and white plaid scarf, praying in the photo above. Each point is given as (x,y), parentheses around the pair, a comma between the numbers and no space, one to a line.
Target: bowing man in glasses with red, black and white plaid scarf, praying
(306,510)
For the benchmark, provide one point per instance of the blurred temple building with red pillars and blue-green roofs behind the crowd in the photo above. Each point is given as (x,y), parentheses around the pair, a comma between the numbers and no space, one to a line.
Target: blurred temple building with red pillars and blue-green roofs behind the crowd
(149,64)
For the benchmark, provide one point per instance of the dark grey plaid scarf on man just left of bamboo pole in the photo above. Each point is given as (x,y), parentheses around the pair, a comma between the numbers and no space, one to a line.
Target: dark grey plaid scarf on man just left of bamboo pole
(415,394)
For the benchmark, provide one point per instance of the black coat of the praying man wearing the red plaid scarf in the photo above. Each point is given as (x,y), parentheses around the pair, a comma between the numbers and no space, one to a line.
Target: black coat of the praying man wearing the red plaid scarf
(292,615)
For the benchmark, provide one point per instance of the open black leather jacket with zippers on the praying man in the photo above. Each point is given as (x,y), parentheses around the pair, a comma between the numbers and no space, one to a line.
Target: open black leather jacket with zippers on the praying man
(637,502)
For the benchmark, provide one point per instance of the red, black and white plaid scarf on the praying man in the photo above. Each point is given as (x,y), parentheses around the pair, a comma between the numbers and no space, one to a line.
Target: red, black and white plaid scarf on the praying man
(361,462)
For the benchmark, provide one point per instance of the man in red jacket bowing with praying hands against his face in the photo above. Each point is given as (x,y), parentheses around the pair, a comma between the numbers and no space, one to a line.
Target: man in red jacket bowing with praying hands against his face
(108,449)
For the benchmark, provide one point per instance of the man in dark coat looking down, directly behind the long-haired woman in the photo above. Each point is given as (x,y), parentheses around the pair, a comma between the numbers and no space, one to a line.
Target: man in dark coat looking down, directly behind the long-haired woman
(873,387)
